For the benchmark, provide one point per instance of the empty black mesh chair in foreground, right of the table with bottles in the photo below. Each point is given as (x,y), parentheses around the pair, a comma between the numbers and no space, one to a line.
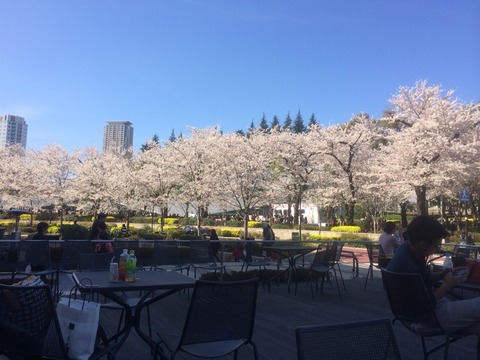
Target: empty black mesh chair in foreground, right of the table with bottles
(220,319)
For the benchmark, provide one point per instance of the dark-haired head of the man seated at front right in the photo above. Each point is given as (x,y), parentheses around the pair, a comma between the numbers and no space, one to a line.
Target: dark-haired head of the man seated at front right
(426,232)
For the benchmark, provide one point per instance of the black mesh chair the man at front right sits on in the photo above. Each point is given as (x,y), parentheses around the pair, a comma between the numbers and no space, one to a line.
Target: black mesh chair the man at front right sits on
(411,305)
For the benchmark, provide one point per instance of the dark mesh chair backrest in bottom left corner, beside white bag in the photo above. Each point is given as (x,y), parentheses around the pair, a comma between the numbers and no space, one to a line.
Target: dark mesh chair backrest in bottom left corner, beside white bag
(28,323)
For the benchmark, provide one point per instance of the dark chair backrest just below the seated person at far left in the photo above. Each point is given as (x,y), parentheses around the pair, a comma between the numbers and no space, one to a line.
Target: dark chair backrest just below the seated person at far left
(34,252)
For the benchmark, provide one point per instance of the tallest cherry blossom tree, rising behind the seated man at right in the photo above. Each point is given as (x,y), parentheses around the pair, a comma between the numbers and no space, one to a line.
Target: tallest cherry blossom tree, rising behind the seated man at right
(432,140)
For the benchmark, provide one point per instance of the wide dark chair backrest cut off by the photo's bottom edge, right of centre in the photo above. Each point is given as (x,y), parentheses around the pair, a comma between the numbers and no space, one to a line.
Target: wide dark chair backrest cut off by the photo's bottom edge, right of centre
(373,340)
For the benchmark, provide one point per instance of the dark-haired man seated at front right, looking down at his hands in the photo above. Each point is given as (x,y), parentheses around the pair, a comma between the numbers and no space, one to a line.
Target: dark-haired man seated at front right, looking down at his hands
(424,236)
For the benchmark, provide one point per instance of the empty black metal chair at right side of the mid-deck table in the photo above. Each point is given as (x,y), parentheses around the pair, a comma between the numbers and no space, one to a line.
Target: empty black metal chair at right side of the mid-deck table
(325,260)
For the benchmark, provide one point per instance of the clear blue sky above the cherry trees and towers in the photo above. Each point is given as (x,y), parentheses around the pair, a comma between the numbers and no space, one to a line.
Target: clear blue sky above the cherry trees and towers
(70,66)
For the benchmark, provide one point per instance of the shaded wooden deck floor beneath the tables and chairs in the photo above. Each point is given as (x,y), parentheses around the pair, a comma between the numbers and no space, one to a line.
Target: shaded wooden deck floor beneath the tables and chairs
(279,313)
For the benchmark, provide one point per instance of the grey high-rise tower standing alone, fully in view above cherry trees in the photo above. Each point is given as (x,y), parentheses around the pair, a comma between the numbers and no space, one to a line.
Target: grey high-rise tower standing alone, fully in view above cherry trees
(118,136)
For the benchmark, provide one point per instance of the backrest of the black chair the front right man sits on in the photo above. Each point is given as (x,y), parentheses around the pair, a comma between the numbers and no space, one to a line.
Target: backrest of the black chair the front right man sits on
(409,299)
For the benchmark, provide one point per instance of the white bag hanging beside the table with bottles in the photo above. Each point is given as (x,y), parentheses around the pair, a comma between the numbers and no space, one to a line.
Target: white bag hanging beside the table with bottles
(79,323)
